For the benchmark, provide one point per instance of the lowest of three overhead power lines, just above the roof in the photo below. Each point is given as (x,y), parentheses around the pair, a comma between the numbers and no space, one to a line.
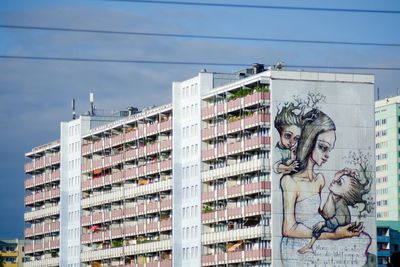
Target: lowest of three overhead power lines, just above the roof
(167,62)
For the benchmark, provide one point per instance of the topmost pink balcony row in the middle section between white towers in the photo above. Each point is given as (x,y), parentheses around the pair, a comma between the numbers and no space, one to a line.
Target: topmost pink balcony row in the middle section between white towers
(127,137)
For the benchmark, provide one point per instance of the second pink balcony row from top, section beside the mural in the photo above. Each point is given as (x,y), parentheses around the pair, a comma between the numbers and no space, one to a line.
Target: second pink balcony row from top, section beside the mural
(235,126)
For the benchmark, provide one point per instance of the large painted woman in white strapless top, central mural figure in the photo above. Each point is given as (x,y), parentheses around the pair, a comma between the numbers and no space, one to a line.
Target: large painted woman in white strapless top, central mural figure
(301,193)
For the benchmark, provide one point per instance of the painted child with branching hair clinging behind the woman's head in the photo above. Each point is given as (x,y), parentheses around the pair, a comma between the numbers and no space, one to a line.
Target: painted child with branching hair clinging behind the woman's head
(288,124)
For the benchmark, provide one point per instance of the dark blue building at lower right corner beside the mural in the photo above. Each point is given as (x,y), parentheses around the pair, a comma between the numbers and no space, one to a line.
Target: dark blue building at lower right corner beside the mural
(388,237)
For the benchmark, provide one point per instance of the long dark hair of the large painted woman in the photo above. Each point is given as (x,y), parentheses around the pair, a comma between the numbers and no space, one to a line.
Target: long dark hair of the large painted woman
(315,122)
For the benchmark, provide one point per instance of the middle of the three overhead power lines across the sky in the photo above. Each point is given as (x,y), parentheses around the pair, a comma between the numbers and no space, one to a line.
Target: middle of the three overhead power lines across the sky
(197,36)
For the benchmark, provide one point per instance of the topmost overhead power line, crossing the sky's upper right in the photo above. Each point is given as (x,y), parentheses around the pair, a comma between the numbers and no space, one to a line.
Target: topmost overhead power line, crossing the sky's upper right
(293,8)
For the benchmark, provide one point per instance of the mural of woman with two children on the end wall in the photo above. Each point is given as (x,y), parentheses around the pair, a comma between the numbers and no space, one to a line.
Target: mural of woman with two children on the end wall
(324,211)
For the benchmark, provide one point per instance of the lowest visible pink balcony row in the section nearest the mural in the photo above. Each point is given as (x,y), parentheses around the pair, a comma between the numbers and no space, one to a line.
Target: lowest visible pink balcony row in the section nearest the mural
(236,257)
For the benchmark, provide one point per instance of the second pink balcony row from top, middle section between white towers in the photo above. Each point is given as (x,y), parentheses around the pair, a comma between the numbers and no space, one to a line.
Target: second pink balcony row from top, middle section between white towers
(125,156)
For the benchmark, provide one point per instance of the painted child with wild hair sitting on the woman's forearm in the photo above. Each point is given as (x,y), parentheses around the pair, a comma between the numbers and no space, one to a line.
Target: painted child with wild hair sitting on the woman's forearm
(345,190)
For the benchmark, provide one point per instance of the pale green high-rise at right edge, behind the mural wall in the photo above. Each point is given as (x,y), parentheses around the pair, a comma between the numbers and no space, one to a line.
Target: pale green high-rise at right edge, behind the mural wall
(387,132)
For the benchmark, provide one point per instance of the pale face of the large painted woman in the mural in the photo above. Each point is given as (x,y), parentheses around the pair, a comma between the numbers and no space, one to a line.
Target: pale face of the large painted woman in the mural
(325,143)
